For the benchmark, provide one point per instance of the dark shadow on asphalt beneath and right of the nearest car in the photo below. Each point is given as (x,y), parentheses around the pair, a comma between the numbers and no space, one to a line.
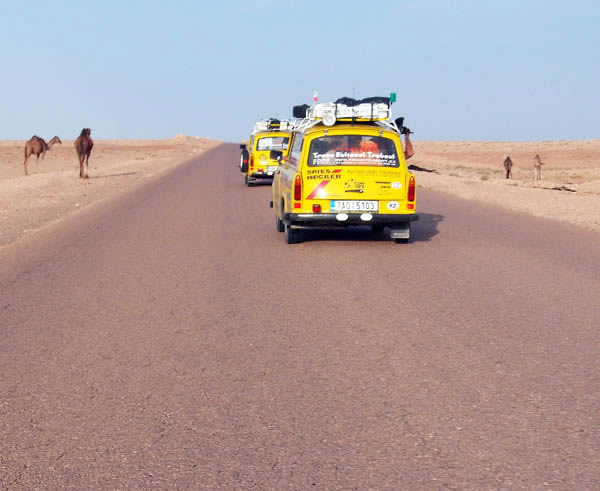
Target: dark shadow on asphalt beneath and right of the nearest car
(422,230)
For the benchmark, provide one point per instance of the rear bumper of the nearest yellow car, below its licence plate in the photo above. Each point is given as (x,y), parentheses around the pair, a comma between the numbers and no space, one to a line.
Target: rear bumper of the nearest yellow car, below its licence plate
(329,220)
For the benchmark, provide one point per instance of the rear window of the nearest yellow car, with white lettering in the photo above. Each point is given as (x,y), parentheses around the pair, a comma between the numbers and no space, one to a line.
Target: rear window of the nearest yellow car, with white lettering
(339,150)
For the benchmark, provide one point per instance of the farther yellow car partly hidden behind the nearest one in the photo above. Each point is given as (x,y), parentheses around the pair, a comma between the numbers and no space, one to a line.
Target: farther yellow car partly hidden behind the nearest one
(255,160)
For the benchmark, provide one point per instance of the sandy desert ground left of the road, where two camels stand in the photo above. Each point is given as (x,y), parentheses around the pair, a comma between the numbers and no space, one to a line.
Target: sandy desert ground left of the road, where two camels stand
(54,190)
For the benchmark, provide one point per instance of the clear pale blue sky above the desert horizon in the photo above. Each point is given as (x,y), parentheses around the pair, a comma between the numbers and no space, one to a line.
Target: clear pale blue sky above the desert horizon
(464,70)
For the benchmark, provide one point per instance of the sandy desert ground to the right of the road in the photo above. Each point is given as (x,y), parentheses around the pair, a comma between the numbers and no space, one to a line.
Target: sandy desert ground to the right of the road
(569,190)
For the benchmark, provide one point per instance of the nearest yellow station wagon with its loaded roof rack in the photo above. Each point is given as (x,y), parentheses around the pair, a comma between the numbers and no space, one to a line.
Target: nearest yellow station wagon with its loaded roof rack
(345,167)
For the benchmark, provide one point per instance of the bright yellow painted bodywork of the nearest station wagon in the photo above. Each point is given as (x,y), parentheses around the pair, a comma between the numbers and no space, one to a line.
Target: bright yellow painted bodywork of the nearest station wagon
(386,185)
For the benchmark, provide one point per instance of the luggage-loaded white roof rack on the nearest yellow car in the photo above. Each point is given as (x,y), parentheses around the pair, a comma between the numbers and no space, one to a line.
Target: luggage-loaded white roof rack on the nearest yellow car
(372,109)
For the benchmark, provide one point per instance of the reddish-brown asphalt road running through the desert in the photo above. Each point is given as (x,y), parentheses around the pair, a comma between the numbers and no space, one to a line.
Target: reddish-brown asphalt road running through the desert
(173,340)
